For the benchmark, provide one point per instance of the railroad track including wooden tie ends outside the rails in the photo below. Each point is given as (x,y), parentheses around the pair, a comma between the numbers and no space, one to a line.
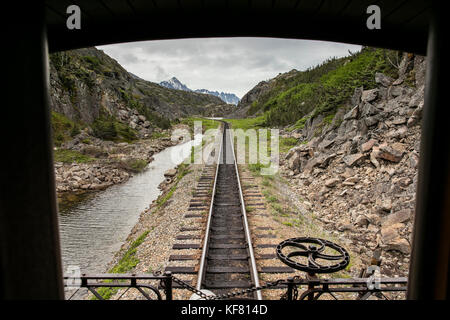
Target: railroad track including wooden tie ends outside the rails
(227,261)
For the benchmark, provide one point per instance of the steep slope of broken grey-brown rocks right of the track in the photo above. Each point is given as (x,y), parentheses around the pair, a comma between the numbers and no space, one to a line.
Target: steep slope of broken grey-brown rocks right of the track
(360,174)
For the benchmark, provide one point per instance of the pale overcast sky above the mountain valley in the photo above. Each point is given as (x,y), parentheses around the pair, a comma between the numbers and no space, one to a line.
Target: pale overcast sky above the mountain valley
(224,64)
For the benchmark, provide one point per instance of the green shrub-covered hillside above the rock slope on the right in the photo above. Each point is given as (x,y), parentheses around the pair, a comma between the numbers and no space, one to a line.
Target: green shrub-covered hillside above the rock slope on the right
(323,89)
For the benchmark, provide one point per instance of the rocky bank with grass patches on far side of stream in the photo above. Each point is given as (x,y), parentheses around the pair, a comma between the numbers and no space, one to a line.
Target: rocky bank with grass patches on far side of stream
(89,163)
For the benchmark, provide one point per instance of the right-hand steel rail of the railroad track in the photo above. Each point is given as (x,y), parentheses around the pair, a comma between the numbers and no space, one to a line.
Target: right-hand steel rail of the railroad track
(252,262)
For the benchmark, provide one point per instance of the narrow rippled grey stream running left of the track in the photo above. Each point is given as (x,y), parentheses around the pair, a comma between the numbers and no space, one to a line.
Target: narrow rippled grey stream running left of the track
(93,229)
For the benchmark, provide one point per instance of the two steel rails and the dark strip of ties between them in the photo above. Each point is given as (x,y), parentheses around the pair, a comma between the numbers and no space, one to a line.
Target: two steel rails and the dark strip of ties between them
(227,262)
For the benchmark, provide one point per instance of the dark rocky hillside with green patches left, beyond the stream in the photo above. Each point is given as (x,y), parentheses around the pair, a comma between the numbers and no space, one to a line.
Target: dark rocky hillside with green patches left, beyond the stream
(90,89)
